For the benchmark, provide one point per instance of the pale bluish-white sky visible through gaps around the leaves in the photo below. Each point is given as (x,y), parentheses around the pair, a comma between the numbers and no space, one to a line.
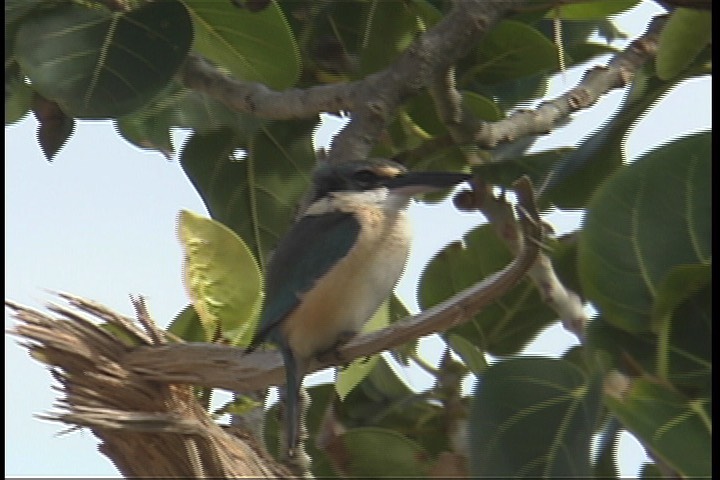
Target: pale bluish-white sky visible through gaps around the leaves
(100,222)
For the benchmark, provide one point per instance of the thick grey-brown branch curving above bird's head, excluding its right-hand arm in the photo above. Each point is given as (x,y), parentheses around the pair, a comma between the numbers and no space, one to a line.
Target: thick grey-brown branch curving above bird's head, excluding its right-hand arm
(372,100)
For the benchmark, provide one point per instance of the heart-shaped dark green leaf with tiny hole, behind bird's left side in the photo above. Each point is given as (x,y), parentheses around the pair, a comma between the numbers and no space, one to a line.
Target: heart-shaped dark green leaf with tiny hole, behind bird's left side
(253,184)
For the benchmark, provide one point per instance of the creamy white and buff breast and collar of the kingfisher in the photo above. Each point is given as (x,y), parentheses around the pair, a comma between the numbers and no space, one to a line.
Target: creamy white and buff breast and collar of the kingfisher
(352,290)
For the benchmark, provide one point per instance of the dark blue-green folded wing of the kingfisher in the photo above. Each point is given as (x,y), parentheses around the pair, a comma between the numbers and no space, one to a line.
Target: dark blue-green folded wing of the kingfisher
(304,255)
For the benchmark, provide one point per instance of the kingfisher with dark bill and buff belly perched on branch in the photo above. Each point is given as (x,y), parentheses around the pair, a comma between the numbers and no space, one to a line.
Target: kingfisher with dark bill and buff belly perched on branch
(337,264)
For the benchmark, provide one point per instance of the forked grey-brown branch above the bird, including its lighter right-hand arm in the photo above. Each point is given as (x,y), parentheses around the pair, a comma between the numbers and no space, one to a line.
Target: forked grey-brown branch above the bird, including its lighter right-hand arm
(428,62)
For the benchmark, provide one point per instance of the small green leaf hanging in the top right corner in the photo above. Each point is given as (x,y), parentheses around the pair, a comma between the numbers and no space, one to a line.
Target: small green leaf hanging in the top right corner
(686,33)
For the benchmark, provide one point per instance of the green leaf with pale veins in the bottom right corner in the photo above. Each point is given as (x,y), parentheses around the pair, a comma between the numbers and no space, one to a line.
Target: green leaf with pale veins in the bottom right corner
(676,429)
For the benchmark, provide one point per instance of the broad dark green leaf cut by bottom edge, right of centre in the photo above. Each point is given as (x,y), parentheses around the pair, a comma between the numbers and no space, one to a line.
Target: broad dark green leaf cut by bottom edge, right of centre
(533,417)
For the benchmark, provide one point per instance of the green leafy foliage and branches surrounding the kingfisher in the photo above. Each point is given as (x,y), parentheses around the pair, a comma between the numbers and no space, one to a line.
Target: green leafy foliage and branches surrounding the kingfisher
(434,85)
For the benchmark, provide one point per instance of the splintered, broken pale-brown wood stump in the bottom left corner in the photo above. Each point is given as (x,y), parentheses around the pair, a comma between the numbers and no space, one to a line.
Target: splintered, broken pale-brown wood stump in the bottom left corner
(146,428)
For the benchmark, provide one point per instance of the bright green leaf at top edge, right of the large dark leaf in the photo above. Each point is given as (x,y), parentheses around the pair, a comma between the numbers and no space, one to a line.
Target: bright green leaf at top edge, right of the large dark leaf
(253,46)
